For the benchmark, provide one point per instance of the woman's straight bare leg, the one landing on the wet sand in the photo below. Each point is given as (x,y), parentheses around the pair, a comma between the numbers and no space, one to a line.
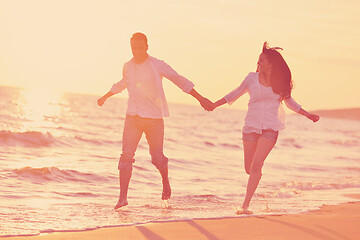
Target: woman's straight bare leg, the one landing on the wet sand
(263,148)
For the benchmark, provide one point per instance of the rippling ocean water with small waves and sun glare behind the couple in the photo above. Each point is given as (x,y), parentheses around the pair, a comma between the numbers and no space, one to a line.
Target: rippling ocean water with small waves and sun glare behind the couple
(59,156)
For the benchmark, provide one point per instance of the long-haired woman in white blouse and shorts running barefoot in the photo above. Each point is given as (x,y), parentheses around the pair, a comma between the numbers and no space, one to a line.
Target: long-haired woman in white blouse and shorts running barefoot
(267,87)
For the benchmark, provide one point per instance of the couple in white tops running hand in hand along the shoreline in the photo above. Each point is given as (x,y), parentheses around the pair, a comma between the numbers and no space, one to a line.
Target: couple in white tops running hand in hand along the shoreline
(142,77)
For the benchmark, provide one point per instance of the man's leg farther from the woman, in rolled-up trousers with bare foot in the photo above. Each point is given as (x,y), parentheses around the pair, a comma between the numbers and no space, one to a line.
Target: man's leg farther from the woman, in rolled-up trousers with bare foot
(131,137)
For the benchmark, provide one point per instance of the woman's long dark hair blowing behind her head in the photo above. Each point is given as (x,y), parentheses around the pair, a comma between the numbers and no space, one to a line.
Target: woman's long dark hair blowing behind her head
(280,76)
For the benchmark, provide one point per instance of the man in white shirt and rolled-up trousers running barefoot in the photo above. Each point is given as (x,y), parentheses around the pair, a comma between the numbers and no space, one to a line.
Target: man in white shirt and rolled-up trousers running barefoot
(142,77)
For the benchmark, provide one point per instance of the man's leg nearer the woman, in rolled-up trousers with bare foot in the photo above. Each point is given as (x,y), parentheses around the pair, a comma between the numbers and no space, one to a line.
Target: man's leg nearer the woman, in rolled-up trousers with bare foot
(154,131)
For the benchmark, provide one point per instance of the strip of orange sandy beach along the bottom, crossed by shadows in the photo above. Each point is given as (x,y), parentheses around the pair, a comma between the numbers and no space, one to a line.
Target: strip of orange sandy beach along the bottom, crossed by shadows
(329,222)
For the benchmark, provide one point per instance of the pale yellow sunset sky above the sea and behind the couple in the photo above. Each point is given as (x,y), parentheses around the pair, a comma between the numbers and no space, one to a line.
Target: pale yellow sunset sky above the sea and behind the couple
(80,46)
